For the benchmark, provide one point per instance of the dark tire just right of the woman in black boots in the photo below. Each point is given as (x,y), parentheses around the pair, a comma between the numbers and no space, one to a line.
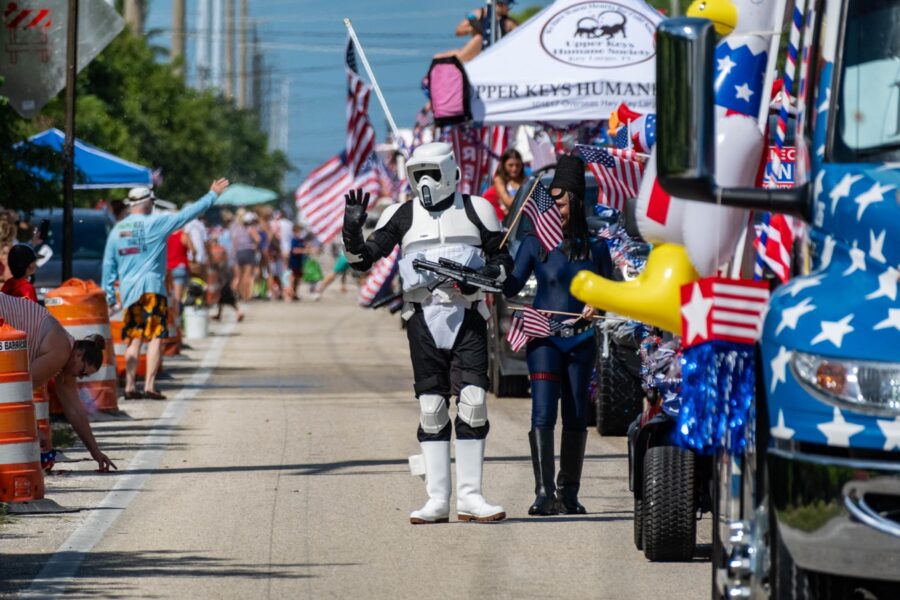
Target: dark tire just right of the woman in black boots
(619,396)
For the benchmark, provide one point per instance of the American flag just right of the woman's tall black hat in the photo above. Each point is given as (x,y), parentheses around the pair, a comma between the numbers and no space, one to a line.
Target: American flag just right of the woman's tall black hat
(618,172)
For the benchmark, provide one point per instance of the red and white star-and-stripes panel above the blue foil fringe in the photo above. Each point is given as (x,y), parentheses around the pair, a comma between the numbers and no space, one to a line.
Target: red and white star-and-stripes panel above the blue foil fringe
(717,308)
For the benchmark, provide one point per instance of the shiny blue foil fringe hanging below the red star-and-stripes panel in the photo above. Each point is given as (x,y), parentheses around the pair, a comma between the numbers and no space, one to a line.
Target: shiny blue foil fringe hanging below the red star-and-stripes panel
(717,387)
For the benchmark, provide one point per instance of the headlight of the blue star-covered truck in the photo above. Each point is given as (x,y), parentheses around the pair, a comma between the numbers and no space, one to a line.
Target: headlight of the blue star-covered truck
(870,387)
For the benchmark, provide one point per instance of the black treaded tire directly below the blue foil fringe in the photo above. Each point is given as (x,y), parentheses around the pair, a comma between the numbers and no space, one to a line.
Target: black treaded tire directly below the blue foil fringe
(670,504)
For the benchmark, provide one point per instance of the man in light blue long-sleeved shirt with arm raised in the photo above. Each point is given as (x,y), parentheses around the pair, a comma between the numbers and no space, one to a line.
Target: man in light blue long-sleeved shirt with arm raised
(135,256)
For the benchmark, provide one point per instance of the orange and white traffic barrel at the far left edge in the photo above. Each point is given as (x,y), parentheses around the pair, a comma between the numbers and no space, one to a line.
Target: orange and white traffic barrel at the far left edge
(21,477)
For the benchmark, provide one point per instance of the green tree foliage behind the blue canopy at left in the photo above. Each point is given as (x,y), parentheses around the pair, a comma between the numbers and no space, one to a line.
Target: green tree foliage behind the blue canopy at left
(138,108)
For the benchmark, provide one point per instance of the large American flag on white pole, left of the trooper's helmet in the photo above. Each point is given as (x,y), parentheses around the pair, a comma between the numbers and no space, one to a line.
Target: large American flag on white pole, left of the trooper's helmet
(320,197)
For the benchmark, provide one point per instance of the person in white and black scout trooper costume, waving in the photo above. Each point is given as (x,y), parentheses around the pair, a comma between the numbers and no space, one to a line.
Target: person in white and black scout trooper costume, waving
(445,324)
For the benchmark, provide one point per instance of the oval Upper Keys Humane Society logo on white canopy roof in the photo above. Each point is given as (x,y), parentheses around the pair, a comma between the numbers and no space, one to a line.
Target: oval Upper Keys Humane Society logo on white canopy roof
(599,35)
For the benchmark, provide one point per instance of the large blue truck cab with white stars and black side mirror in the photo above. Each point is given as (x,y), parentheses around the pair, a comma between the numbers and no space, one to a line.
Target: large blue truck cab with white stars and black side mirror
(808,505)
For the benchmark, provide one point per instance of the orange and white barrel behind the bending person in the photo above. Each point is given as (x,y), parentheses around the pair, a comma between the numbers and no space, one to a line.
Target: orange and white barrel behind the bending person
(80,307)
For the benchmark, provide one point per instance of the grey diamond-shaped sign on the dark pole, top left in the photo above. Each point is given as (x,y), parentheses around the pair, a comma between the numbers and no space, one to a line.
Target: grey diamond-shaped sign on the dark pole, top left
(33,47)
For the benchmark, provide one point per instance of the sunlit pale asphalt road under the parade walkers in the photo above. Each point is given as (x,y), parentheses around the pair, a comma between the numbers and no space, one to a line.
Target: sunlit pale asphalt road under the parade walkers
(286,476)
